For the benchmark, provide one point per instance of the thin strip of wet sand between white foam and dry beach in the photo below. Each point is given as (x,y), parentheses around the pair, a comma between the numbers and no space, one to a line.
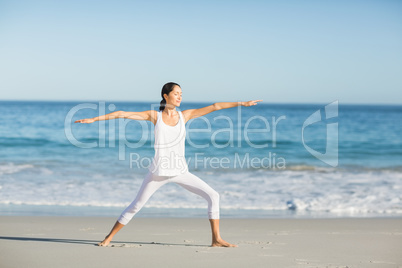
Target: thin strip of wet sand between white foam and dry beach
(201,213)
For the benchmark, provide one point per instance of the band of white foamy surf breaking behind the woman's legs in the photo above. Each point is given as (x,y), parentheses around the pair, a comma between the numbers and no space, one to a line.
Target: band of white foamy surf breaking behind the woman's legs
(305,190)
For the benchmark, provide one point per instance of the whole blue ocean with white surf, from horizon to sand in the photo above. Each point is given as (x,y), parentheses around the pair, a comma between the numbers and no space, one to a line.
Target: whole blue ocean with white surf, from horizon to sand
(268,160)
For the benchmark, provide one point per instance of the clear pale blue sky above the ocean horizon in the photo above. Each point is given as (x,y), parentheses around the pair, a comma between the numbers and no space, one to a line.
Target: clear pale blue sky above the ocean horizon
(278,51)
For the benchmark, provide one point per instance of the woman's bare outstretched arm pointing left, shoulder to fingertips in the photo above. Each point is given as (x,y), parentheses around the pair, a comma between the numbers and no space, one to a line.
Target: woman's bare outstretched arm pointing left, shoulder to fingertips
(149,115)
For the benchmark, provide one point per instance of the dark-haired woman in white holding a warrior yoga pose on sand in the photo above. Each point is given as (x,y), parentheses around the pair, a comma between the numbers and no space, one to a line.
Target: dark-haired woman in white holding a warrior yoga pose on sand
(169,164)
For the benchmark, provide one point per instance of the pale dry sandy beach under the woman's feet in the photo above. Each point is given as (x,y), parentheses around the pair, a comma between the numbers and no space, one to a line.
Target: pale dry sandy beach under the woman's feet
(183,242)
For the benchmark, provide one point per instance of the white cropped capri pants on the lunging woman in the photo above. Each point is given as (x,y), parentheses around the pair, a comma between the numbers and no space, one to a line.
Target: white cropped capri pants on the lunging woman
(187,180)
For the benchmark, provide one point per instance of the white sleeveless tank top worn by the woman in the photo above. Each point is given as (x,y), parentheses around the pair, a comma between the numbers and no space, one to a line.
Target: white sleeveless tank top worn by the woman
(169,159)
